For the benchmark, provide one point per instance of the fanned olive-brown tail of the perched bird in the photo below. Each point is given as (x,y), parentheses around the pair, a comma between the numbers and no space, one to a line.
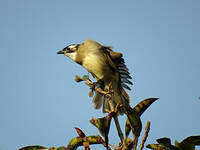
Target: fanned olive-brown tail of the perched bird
(110,103)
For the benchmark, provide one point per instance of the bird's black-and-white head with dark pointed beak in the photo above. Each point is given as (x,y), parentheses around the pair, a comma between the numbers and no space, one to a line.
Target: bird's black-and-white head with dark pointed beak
(70,51)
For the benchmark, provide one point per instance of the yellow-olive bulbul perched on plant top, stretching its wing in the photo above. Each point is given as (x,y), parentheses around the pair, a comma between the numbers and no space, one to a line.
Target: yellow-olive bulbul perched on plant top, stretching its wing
(106,66)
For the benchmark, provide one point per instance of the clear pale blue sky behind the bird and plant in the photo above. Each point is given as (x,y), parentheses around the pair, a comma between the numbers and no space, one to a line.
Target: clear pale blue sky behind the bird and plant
(40,103)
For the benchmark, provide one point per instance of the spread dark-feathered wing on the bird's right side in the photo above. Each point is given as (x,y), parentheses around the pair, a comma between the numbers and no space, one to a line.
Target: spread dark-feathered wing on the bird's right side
(121,67)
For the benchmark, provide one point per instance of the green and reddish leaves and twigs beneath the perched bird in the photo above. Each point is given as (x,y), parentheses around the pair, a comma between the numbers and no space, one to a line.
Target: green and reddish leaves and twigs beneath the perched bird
(133,124)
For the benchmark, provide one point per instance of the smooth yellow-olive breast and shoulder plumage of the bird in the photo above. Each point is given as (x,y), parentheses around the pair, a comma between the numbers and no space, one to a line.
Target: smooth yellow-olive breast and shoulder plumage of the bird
(95,60)
